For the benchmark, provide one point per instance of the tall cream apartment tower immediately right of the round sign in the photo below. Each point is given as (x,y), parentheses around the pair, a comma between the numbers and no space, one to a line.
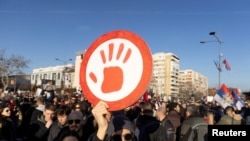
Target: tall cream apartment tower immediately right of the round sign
(165,75)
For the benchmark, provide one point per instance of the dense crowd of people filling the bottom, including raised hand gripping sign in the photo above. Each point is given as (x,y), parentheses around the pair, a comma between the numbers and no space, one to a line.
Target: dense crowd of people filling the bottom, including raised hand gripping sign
(70,117)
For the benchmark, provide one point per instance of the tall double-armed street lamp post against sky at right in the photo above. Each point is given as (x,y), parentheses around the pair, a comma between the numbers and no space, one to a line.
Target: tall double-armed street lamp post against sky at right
(219,55)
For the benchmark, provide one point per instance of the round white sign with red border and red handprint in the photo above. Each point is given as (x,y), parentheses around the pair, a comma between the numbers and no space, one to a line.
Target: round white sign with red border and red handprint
(117,69)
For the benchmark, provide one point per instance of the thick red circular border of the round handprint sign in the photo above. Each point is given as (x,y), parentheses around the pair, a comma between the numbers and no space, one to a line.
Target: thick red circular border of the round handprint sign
(146,74)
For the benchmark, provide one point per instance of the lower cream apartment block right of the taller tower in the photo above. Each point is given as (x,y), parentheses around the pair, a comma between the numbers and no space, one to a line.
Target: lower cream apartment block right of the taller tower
(192,84)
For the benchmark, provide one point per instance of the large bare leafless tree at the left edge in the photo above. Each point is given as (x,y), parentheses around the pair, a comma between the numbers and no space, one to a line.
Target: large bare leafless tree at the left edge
(11,65)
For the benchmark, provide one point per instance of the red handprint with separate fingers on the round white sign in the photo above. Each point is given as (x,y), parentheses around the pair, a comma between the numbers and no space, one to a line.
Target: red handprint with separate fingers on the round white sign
(113,75)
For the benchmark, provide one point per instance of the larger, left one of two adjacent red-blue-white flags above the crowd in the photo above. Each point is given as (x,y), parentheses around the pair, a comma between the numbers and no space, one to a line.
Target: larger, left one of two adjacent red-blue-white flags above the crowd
(224,96)
